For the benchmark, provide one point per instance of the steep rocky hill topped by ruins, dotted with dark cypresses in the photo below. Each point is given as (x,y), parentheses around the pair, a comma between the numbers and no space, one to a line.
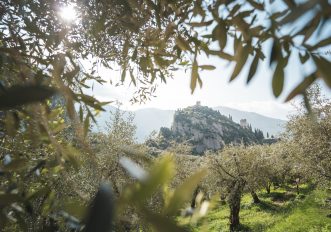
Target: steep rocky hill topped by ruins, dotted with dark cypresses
(204,129)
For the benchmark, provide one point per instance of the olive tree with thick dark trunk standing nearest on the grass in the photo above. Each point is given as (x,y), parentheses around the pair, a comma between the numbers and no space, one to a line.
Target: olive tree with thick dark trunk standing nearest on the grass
(235,170)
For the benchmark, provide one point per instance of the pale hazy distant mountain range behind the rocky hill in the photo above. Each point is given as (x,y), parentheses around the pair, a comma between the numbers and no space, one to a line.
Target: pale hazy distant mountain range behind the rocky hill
(152,119)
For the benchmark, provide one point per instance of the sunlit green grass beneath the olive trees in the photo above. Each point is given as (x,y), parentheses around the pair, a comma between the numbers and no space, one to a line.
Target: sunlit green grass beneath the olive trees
(280,211)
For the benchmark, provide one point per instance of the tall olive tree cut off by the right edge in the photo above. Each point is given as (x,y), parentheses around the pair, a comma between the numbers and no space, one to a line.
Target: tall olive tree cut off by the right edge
(311,132)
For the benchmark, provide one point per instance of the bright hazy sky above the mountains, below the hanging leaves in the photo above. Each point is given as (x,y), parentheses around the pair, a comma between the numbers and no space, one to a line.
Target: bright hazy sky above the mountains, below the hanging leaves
(216,91)
